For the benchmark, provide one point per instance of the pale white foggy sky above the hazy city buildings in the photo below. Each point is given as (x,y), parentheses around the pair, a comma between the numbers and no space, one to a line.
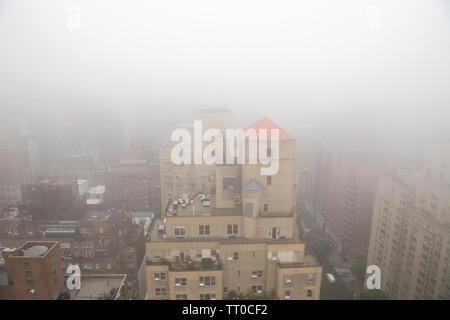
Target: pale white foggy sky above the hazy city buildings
(156,62)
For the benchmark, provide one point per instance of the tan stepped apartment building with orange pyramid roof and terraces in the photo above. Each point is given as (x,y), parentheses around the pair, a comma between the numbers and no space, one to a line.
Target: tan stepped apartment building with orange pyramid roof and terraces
(234,232)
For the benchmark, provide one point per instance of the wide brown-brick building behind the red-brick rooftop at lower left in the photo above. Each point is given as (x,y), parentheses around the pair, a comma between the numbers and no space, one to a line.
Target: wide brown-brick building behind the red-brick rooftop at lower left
(104,241)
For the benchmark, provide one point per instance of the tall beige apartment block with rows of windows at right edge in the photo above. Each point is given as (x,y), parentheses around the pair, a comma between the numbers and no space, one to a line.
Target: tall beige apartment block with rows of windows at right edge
(410,233)
